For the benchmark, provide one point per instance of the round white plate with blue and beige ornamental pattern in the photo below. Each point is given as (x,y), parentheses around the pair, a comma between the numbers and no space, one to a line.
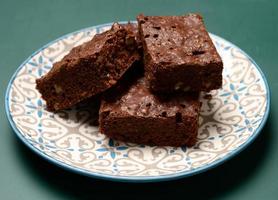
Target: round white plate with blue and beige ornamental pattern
(230,120)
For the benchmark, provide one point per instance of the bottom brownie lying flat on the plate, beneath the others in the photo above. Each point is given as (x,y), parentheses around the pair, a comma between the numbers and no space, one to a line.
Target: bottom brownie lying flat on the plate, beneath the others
(136,115)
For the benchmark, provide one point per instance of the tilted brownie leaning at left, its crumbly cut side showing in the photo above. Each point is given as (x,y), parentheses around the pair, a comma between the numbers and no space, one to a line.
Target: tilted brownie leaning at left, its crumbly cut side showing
(90,68)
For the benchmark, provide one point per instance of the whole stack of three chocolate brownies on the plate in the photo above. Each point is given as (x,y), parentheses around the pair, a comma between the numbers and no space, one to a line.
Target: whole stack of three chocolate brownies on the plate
(148,76)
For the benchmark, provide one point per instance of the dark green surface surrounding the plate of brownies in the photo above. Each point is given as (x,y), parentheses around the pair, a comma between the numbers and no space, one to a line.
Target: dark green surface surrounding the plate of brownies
(27,25)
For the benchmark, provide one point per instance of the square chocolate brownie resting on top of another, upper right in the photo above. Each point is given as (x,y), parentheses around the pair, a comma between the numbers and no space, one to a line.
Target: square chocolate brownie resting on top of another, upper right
(179,54)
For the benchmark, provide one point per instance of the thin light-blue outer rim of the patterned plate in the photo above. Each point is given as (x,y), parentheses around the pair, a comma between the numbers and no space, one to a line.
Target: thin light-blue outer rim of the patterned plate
(132,178)
